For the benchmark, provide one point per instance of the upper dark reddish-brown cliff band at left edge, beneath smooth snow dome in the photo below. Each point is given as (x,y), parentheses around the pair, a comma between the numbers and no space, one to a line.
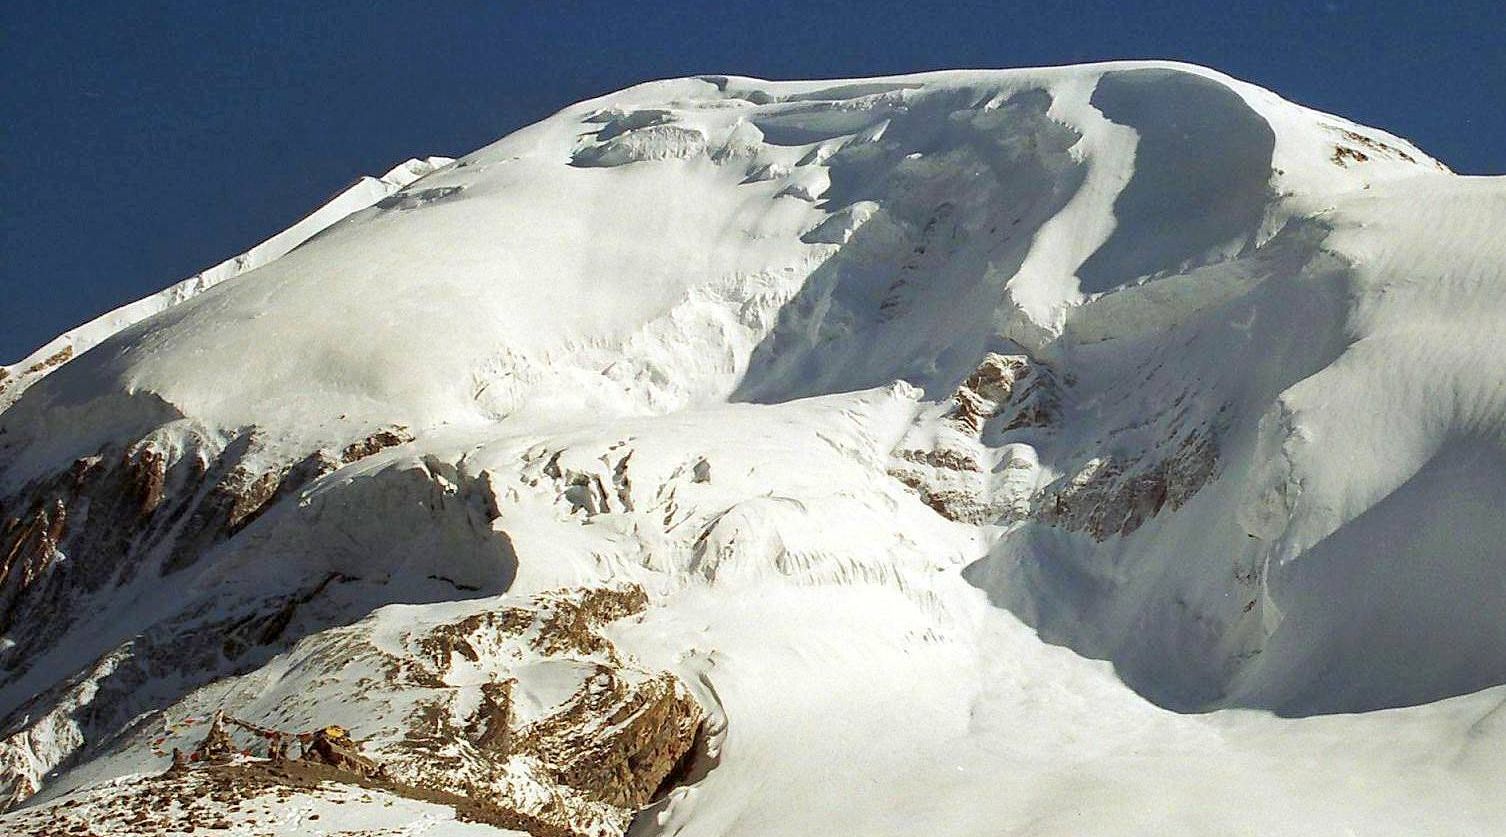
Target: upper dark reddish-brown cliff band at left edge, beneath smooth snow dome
(151,508)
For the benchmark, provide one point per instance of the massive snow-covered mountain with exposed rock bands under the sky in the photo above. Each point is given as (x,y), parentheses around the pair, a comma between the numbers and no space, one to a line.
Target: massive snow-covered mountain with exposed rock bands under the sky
(1115,449)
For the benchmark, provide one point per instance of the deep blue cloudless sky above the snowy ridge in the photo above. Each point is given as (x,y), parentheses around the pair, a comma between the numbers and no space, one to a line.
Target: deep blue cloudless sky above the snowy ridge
(142,142)
